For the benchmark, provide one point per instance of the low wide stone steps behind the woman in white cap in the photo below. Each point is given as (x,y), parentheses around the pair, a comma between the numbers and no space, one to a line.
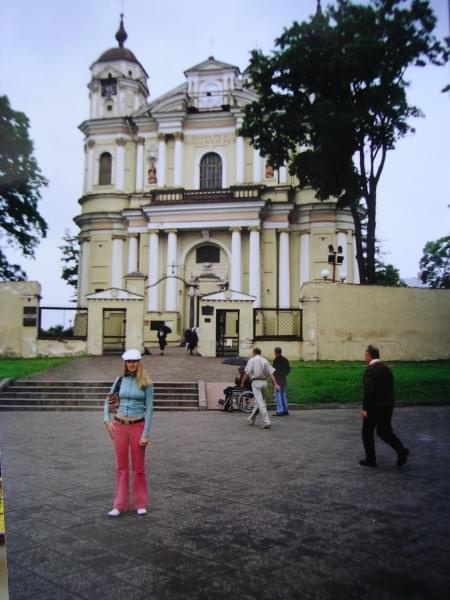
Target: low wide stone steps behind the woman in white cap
(27,394)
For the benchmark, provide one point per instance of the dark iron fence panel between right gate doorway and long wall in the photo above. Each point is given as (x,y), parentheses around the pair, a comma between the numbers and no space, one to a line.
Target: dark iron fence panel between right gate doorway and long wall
(276,323)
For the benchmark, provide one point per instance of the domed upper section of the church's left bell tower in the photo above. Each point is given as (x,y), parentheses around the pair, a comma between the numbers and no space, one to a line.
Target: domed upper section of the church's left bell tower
(118,85)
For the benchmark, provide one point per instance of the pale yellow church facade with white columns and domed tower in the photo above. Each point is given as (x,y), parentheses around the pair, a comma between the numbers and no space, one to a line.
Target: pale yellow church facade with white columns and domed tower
(178,208)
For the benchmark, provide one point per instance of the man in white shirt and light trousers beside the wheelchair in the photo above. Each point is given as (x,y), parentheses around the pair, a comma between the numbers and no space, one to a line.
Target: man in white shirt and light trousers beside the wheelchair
(258,370)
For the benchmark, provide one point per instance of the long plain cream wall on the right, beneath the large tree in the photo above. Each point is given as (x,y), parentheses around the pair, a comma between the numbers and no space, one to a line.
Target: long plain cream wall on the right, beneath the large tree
(340,320)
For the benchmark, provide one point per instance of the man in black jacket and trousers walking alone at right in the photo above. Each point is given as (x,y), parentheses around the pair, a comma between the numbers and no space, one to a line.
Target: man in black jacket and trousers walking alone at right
(378,405)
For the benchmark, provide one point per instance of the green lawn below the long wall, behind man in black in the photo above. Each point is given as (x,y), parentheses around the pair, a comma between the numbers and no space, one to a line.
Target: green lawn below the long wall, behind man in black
(341,382)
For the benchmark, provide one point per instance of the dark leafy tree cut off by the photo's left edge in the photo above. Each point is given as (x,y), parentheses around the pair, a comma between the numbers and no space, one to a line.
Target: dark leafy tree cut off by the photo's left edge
(21,225)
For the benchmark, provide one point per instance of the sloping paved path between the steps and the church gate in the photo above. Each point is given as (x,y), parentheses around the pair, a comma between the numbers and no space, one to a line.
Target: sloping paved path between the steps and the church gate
(175,365)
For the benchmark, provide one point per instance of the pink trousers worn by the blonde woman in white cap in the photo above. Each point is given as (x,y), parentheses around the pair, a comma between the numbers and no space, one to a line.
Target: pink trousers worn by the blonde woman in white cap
(127,437)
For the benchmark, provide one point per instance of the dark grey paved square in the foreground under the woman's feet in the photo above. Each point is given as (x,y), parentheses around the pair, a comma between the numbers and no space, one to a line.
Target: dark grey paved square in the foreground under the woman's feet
(236,512)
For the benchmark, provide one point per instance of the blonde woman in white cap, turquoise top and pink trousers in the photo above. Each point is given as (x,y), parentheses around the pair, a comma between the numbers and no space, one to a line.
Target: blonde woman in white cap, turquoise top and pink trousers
(130,430)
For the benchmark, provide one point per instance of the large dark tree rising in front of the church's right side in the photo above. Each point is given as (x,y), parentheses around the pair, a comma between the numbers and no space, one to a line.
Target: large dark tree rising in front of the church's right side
(332,101)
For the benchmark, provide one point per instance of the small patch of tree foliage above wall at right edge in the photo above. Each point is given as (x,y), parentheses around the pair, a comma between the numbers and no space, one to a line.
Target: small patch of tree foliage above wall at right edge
(435,264)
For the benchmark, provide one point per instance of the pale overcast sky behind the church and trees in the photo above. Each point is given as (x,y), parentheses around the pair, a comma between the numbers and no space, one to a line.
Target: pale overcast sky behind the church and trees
(47,47)
